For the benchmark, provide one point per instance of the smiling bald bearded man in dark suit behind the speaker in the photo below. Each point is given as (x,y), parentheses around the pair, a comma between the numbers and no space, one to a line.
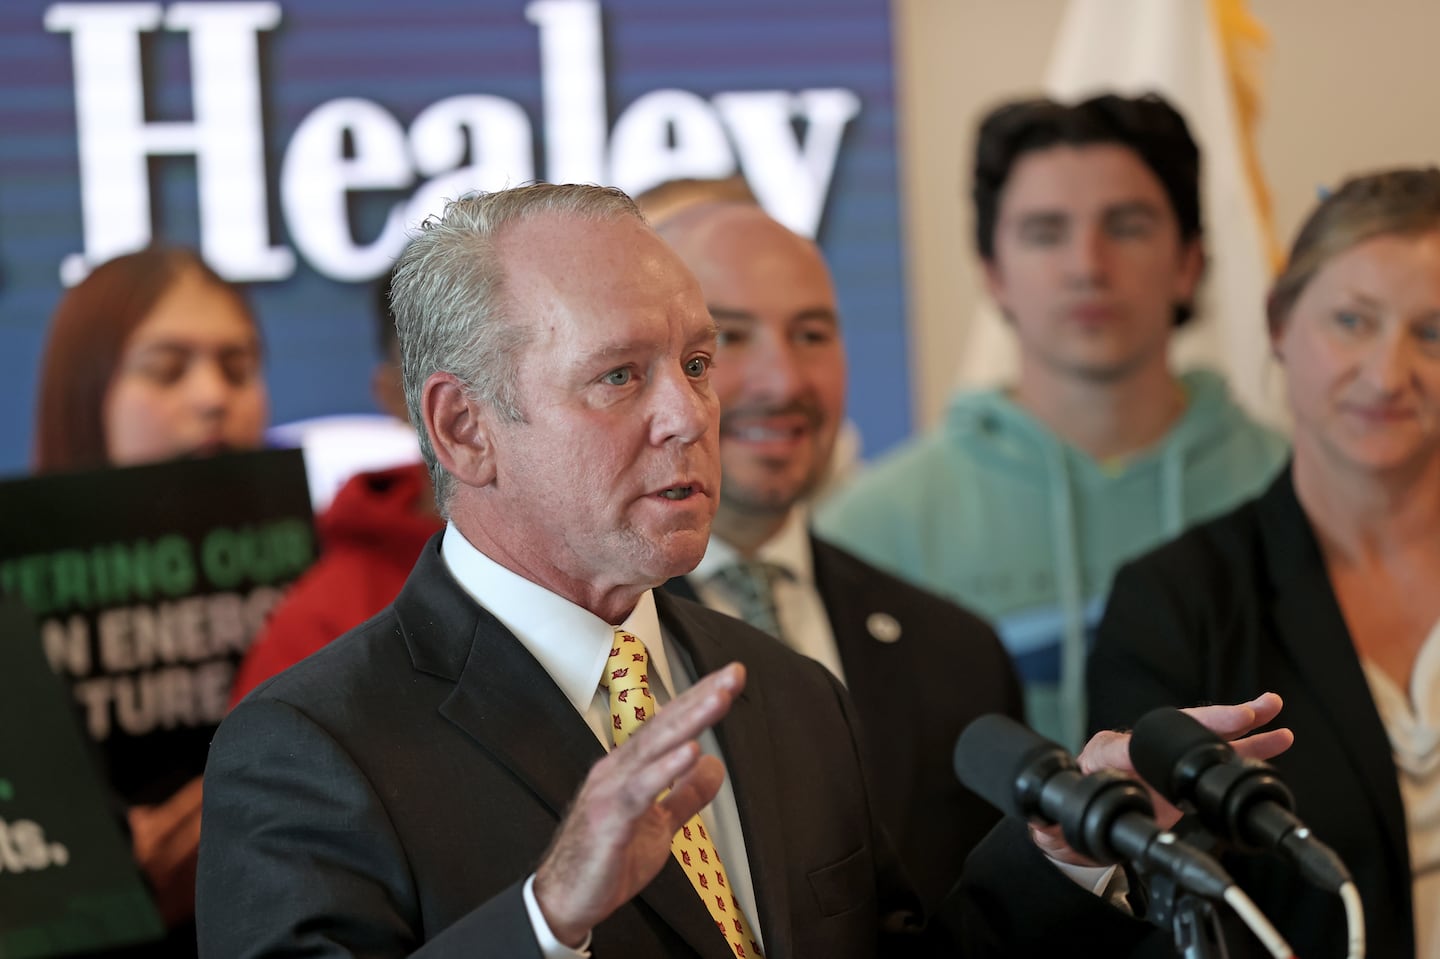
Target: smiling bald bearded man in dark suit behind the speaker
(781,379)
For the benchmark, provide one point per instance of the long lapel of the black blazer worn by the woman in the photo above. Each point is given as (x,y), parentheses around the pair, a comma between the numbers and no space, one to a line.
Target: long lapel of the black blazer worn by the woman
(1313,630)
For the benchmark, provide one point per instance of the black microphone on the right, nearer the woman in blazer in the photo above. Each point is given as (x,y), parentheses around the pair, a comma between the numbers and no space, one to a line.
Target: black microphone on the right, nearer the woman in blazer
(1238,798)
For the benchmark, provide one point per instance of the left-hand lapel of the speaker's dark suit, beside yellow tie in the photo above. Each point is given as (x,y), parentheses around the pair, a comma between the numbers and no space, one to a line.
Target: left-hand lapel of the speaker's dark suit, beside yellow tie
(513,711)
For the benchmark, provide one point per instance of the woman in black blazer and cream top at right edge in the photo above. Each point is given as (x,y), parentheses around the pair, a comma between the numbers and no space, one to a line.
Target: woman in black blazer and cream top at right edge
(1327,588)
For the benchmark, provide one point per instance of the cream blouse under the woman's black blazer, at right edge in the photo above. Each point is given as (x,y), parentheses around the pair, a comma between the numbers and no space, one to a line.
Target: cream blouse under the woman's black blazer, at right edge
(1413,726)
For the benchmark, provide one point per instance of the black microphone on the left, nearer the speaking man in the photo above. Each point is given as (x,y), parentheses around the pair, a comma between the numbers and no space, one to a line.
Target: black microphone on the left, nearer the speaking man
(1104,816)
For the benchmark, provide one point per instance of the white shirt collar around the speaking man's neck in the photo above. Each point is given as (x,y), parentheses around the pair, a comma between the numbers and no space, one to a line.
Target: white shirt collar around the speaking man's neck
(571,643)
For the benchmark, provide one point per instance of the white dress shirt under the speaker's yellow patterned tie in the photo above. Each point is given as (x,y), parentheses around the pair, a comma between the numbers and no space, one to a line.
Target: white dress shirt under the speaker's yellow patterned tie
(572,646)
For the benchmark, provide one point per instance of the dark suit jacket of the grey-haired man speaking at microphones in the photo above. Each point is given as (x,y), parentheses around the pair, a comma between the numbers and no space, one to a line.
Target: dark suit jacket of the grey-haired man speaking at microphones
(390,796)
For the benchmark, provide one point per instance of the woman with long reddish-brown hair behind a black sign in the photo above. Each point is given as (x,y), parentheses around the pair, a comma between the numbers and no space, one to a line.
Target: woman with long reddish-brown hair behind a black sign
(152,358)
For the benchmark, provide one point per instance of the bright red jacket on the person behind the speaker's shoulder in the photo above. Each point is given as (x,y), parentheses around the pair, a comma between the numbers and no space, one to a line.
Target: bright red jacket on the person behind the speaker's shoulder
(371,538)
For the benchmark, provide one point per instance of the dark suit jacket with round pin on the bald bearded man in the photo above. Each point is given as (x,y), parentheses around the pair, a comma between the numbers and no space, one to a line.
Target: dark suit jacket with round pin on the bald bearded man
(914,698)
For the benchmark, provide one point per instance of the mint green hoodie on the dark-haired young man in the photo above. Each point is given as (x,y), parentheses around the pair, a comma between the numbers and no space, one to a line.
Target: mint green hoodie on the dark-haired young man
(994,512)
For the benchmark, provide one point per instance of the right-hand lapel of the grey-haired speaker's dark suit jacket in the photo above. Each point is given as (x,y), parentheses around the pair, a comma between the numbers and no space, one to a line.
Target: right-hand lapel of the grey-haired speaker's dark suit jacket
(752,771)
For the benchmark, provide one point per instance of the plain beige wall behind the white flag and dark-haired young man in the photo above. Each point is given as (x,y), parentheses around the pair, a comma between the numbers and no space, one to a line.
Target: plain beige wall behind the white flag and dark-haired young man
(1349,87)
